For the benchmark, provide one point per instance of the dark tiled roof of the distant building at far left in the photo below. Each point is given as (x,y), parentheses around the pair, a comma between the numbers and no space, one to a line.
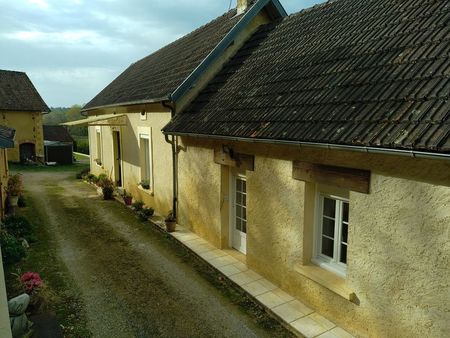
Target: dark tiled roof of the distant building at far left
(17,93)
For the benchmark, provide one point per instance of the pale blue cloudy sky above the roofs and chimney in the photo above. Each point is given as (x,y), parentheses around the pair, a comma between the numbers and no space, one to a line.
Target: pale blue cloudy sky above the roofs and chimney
(72,49)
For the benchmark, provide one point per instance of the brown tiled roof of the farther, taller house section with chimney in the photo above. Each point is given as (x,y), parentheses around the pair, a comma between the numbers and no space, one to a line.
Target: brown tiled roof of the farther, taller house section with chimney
(159,74)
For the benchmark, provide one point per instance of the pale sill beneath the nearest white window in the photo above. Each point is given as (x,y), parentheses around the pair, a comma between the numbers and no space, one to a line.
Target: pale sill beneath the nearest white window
(328,280)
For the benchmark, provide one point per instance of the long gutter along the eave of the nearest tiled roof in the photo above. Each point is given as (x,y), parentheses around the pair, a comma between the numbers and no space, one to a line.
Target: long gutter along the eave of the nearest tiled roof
(329,146)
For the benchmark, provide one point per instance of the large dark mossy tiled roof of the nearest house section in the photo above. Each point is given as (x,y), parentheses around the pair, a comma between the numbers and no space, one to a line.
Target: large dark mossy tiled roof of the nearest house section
(351,72)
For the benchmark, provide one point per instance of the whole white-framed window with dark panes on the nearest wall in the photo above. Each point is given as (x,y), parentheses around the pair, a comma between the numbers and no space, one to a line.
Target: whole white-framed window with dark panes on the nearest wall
(331,233)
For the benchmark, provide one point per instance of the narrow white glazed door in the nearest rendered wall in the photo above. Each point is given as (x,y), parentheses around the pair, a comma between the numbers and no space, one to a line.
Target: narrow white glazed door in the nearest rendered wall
(239,213)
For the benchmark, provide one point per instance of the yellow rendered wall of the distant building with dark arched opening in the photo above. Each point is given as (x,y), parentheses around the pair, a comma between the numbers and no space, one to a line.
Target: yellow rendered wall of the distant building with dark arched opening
(28,126)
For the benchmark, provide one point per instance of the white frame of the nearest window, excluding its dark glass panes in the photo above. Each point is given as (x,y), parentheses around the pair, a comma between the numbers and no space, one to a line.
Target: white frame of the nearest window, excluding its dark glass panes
(331,264)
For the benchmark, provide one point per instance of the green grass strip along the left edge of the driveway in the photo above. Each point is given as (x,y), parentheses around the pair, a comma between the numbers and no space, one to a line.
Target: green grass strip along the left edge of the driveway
(43,258)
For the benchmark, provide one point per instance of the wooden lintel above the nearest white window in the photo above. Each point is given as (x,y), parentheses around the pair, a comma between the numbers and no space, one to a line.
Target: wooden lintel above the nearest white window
(347,178)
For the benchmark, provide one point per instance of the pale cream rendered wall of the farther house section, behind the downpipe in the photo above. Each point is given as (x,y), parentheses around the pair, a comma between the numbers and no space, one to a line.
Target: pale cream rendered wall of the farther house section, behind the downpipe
(160,196)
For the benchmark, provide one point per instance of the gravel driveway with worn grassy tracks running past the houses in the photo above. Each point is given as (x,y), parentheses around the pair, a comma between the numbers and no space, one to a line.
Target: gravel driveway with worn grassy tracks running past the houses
(135,282)
